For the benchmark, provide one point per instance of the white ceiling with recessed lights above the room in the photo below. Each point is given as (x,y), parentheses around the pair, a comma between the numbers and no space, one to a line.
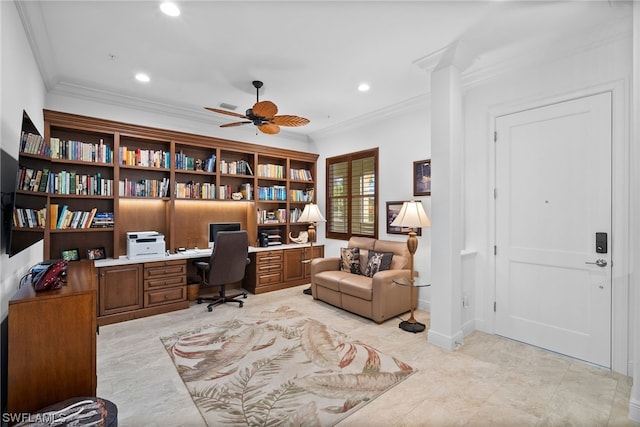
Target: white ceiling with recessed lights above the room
(311,55)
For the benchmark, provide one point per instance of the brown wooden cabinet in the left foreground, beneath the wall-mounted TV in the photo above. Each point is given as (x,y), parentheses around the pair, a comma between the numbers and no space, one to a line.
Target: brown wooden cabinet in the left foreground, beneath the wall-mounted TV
(52,342)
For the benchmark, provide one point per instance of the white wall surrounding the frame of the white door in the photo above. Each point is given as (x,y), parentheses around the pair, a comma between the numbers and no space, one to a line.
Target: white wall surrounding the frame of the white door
(606,67)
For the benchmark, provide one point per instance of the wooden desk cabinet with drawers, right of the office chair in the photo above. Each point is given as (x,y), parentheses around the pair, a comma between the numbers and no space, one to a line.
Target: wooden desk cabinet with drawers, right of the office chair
(271,270)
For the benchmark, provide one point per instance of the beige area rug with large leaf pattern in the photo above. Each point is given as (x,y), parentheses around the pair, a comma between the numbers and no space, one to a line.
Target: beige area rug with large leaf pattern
(280,368)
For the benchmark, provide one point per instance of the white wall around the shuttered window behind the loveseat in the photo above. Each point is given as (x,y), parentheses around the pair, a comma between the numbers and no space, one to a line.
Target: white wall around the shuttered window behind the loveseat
(402,139)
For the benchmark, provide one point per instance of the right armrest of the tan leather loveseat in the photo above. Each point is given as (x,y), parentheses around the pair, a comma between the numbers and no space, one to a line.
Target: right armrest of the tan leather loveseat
(390,298)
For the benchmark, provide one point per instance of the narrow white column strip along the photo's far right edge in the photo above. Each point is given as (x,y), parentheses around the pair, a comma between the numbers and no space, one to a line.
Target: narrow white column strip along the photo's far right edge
(634,399)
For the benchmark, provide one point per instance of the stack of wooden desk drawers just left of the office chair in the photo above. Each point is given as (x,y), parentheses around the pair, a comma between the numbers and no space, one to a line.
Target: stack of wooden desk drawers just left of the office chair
(165,282)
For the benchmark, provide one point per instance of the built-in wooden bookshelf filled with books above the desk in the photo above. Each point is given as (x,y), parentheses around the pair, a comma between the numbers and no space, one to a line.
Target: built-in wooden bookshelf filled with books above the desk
(154,179)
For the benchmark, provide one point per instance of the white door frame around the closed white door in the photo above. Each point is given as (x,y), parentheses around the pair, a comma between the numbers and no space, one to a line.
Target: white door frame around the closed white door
(620,212)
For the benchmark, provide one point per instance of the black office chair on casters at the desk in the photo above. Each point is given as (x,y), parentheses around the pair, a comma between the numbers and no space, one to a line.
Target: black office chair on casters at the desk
(227,265)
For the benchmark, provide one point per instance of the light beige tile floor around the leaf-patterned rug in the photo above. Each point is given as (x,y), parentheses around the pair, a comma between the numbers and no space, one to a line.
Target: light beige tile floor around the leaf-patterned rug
(488,381)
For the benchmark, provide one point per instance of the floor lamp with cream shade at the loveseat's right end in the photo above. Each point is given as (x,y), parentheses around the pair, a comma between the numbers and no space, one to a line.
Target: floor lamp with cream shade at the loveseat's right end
(412,215)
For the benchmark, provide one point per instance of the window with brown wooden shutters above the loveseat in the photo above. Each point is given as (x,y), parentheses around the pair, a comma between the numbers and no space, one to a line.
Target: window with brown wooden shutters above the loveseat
(352,195)
